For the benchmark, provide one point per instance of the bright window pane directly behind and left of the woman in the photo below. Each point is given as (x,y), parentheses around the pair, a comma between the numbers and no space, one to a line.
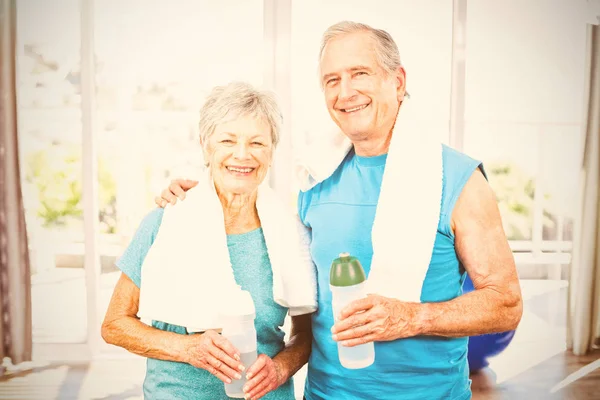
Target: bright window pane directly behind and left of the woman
(156,62)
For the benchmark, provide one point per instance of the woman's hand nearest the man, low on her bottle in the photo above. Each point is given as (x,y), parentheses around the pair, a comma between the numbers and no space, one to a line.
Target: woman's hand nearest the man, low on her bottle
(263,376)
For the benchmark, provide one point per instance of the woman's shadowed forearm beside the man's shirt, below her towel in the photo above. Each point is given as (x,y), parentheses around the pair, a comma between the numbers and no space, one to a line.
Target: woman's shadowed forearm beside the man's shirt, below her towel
(297,349)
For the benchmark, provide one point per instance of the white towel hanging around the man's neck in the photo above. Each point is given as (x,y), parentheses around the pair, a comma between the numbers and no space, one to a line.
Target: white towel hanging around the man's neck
(408,210)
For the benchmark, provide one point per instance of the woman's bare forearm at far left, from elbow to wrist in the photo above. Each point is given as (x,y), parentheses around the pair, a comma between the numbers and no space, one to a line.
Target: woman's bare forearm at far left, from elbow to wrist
(135,336)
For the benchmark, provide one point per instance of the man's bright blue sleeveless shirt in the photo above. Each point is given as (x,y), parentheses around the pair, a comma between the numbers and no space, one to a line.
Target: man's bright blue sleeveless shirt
(340,212)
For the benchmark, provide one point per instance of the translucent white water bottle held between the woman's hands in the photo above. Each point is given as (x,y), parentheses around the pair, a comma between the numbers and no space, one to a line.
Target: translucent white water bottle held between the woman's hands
(238,328)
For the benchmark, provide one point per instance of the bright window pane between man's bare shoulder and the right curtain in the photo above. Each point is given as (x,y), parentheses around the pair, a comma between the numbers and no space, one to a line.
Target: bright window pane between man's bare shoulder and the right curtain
(529,140)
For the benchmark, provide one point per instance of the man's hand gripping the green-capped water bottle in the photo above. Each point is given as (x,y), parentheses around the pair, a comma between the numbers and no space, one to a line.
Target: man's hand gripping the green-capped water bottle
(375,319)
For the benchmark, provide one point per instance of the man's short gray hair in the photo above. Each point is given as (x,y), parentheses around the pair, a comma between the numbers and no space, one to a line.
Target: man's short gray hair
(386,50)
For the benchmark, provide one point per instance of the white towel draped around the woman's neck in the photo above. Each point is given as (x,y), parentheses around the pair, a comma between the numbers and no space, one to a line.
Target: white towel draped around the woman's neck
(187,275)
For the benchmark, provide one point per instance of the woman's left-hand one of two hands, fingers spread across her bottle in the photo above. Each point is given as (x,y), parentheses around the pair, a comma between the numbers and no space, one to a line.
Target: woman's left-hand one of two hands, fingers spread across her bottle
(214,353)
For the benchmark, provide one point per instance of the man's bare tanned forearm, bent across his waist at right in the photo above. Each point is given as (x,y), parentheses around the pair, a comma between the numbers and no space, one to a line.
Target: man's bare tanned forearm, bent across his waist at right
(479,312)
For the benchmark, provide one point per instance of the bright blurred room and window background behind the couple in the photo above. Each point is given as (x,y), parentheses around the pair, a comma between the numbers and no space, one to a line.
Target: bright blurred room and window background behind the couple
(107,100)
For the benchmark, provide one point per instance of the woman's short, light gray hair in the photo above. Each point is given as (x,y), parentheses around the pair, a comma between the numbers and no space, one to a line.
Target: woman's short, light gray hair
(235,100)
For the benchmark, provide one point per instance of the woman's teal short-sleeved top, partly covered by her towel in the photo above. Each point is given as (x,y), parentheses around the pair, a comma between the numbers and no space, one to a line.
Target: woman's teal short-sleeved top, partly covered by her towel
(252,270)
